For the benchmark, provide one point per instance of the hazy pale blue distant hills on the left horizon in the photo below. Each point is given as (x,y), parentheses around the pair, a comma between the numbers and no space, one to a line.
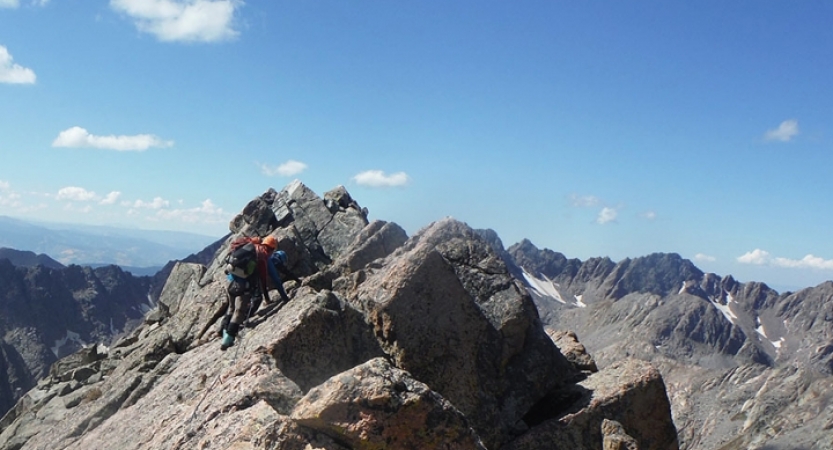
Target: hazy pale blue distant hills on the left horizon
(141,252)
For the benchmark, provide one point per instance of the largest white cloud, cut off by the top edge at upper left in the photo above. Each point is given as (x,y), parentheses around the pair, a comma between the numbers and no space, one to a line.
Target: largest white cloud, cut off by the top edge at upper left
(182,20)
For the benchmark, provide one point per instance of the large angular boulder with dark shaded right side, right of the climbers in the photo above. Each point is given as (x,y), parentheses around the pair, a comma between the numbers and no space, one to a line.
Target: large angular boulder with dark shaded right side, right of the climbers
(446,309)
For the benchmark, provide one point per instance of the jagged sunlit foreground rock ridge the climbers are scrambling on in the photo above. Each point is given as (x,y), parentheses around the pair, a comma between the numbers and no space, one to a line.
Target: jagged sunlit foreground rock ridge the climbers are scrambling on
(389,342)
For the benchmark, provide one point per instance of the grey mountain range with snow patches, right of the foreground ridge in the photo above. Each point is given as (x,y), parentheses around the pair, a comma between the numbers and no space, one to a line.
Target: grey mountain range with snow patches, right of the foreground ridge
(742,362)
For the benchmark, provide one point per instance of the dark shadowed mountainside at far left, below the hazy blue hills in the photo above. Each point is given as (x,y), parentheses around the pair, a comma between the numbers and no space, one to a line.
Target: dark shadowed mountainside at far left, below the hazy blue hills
(48,313)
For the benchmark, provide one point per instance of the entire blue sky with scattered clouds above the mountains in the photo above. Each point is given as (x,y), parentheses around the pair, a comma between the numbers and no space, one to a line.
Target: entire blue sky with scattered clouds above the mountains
(613,129)
